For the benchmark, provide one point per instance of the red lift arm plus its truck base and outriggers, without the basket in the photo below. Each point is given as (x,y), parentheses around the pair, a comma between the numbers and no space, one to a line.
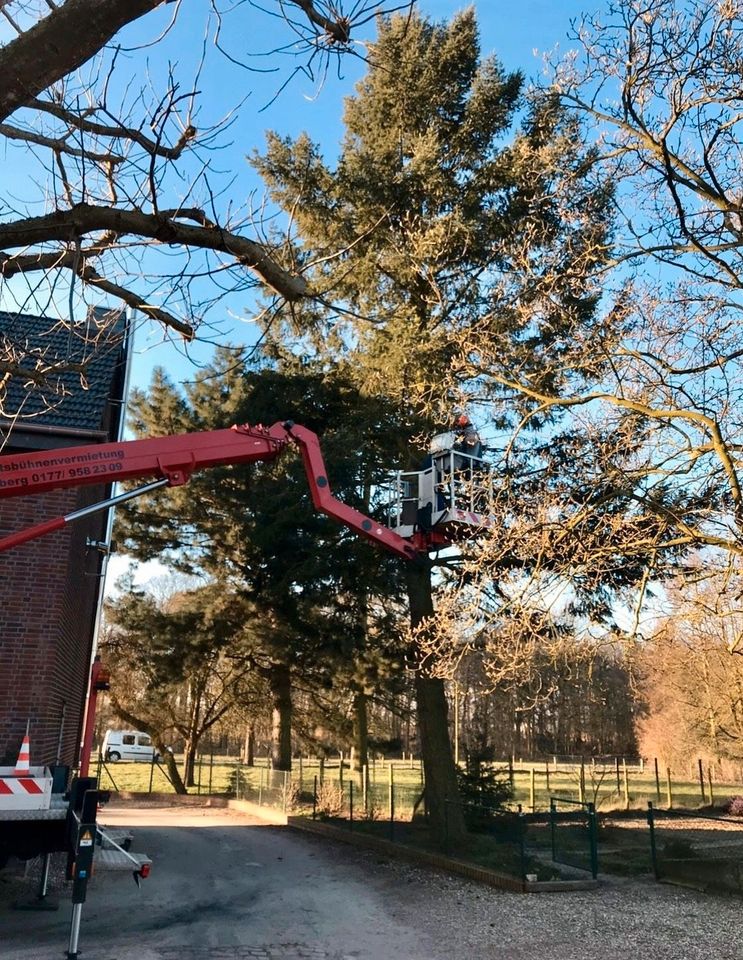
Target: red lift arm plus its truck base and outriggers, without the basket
(38,819)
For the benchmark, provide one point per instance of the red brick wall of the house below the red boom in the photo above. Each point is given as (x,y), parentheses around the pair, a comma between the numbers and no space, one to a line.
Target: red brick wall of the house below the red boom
(48,591)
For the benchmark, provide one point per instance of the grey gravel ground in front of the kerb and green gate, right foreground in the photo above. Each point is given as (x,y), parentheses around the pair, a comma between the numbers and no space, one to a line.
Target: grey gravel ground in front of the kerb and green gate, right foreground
(620,919)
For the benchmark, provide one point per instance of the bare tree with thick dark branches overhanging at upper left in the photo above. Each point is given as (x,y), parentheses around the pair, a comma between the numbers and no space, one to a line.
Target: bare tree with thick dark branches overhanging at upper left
(126,196)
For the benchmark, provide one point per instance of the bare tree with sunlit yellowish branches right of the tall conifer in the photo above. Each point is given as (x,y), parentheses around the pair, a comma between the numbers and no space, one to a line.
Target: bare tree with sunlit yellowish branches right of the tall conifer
(660,84)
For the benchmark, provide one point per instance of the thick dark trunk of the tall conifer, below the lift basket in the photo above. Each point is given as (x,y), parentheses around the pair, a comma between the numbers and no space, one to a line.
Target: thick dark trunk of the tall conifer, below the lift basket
(446,816)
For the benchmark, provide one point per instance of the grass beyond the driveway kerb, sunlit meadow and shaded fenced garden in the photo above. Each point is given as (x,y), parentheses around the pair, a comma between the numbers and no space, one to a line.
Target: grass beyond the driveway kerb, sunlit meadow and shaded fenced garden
(623,839)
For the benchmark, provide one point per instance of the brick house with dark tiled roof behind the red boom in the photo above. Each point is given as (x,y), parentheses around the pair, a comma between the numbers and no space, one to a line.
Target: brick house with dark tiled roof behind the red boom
(50,587)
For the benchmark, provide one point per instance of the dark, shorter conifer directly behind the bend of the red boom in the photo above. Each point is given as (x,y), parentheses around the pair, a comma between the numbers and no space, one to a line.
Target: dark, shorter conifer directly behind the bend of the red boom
(305,579)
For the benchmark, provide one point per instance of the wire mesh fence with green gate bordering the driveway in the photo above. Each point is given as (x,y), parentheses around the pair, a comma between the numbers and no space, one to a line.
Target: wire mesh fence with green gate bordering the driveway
(387,799)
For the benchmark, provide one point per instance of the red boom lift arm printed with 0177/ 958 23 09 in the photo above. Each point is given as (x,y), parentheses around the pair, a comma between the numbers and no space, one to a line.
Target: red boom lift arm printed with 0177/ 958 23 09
(170,461)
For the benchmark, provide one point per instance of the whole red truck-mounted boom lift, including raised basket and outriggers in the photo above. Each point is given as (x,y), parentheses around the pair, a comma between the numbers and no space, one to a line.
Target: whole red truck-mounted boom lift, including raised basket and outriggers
(425,512)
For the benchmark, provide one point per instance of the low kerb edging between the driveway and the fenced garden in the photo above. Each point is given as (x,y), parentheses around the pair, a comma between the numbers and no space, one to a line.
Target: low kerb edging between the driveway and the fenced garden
(448,864)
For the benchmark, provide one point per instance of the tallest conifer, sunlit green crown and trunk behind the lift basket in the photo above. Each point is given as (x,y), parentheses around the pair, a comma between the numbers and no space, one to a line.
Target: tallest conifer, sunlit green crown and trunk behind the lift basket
(441,232)
